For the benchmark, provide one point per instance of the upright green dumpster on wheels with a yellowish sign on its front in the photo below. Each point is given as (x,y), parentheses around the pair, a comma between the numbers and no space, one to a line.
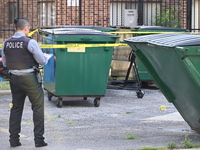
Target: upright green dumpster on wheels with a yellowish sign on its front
(77,71)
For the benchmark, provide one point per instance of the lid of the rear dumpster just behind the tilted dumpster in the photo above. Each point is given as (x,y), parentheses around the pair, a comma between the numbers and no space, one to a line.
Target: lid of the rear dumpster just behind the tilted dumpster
(157,28)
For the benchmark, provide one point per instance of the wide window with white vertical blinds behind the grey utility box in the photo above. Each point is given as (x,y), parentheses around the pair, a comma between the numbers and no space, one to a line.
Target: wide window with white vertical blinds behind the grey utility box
(120,12)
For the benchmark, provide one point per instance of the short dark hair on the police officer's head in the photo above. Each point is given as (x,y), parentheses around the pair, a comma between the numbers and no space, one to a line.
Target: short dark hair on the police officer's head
(21,23)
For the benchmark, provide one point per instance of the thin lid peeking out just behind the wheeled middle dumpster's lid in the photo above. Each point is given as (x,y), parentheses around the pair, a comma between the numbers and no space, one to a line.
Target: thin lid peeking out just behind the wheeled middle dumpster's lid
(84,27)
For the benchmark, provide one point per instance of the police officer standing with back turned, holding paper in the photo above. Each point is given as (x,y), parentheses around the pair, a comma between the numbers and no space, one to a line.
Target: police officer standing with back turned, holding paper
(20,55)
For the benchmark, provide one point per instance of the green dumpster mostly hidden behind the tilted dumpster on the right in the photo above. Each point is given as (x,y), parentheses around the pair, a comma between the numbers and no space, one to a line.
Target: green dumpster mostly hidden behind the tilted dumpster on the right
(144,75)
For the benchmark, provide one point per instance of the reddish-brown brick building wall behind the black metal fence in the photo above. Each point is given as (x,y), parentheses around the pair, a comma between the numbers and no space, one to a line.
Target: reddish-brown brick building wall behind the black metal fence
(93,12)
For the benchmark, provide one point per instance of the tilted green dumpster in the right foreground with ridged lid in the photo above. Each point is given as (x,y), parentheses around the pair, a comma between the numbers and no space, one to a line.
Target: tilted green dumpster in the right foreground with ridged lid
(173,60)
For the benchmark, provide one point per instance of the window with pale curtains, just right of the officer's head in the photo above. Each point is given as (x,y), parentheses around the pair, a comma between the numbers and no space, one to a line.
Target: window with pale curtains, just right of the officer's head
(47,14)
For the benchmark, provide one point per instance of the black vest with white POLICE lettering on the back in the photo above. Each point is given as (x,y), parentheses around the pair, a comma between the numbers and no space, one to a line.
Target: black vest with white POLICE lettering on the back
(17,55)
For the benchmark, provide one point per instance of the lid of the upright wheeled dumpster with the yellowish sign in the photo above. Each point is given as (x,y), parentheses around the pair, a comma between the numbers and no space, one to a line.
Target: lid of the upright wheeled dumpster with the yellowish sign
(74,31)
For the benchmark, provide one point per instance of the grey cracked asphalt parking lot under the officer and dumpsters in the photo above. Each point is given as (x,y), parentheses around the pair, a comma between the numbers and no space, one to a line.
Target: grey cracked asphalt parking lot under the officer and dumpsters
(78,125)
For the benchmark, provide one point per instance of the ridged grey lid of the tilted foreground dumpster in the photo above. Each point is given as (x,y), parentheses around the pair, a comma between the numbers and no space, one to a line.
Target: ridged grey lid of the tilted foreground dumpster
(168,39)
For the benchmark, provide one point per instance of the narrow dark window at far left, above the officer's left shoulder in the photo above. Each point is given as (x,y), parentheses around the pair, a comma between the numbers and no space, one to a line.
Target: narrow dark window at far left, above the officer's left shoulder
(12,12)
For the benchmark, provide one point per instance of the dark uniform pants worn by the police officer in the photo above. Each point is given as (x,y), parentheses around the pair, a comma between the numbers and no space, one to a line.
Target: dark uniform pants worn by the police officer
(22,86)
